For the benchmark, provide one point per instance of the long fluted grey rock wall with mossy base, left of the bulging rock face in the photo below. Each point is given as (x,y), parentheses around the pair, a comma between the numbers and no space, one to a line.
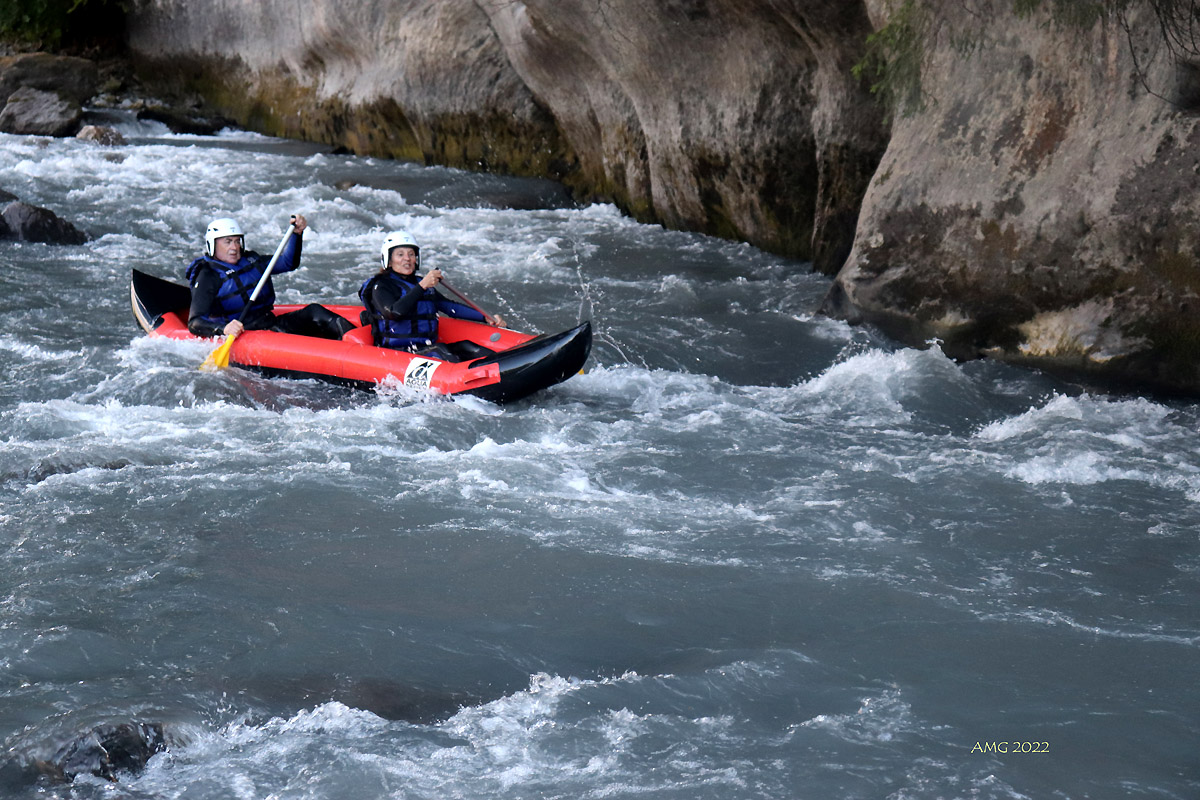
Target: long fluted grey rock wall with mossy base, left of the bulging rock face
(737,118)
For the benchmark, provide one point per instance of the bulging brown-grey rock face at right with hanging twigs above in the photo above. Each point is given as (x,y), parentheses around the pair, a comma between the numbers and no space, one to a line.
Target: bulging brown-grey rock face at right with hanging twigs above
(1043,208)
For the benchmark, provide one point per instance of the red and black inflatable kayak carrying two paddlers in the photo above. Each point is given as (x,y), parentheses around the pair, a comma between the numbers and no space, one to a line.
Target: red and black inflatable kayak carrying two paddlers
(520,364)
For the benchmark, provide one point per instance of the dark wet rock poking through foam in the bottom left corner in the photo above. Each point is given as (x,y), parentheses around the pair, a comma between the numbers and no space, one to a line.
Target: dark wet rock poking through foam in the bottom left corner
(106,751)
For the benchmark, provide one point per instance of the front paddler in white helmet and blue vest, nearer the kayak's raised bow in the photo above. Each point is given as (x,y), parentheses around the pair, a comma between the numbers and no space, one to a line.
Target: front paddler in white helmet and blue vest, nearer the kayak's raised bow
(401,305)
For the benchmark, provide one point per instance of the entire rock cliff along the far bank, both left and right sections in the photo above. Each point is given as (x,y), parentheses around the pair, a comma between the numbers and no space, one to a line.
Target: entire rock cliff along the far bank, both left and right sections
(1041,207)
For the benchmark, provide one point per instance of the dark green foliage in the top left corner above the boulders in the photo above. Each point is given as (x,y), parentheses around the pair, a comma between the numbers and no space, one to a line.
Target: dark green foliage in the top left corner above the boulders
(52,25)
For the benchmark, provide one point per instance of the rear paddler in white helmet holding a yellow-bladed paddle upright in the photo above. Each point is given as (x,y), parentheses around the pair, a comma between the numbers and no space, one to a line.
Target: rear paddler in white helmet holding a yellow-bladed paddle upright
(225,278)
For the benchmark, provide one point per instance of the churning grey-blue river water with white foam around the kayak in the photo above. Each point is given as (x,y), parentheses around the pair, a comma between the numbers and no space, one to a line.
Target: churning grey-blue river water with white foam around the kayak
(749,554)
